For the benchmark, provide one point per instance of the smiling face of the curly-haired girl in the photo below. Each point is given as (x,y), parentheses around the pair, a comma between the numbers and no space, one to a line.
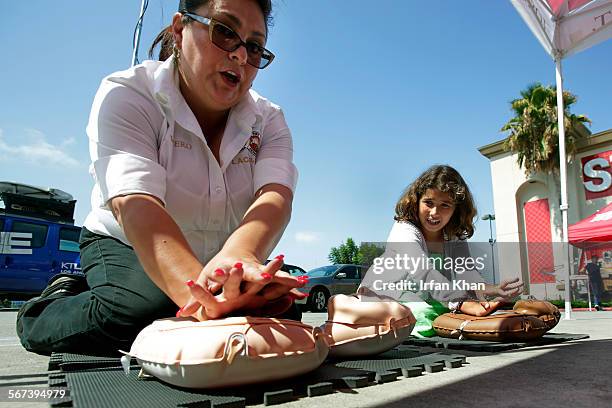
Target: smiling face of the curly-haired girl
(435,211)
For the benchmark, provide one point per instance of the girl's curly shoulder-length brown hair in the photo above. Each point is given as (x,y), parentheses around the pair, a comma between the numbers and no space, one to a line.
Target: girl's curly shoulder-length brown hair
(448,180)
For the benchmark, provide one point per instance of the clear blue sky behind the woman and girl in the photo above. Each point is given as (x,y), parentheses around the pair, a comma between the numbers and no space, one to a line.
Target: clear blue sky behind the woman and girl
(374,93)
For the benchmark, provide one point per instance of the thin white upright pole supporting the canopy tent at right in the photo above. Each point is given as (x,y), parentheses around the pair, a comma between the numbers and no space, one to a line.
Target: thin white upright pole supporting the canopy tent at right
(563,170)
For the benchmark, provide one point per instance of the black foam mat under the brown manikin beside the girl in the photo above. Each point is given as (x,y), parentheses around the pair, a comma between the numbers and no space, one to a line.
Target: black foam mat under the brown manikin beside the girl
(492,346)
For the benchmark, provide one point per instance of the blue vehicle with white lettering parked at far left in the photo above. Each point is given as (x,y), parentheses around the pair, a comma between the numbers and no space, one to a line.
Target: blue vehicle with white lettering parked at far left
(38,239)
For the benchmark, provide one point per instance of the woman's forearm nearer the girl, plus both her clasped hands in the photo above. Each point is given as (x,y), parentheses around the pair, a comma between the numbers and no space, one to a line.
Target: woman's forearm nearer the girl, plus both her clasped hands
(239,261)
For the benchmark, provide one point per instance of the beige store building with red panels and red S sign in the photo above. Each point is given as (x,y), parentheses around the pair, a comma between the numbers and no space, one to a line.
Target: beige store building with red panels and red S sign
(528,217)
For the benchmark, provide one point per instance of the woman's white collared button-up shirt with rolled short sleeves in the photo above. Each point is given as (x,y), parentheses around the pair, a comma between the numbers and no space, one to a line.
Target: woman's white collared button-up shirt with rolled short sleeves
(144,139)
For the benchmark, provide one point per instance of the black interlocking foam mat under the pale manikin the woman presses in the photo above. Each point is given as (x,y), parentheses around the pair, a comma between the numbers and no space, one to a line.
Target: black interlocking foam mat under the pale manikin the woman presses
(109,386)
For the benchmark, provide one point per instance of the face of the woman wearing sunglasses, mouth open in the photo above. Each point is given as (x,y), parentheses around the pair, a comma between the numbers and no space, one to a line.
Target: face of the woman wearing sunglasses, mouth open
(216,79)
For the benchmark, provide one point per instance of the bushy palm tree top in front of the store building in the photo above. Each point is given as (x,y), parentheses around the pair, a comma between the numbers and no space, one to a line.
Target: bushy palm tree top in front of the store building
(534,134)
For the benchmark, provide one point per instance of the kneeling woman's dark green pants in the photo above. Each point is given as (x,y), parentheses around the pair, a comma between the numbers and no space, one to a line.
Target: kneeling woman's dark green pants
(120,302)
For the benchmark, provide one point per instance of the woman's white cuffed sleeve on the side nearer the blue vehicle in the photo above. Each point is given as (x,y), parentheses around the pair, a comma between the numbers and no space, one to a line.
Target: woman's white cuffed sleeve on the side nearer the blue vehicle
(123,131)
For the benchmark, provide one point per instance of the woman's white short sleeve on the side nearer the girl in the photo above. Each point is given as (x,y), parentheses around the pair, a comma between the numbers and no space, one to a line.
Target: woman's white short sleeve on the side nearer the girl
(275,158)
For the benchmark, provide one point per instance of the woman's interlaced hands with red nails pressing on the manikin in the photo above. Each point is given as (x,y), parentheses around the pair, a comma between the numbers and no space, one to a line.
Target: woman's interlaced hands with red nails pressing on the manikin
(249,286)
